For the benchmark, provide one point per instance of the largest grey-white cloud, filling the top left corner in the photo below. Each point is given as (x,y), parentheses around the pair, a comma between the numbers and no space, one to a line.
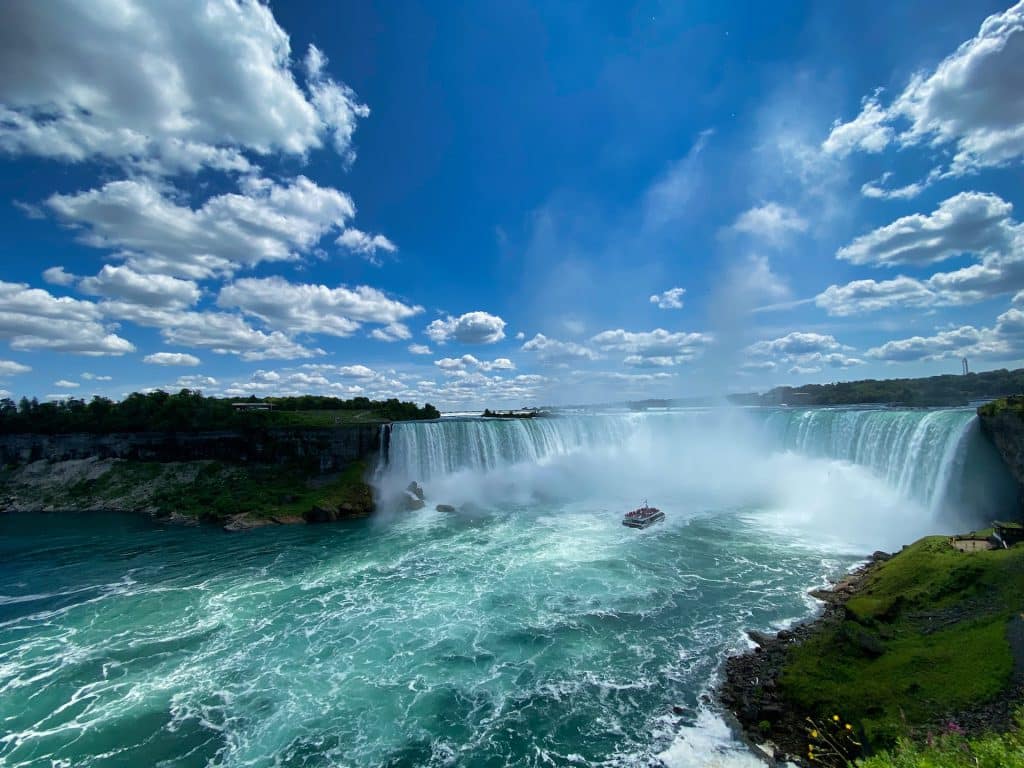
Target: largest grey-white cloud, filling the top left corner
(164,88)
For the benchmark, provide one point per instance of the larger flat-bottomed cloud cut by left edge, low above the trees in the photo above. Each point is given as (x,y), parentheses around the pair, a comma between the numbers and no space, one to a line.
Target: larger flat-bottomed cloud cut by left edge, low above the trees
(34,319)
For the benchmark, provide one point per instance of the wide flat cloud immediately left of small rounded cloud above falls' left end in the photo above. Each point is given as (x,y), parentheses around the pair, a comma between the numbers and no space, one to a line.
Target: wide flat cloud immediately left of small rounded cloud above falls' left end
(314,309)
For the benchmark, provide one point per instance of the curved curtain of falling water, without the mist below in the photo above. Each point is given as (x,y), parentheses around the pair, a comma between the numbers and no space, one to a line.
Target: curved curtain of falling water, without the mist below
(936,458)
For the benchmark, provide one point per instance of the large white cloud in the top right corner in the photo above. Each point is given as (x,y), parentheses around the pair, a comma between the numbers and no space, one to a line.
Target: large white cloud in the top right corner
(972,102)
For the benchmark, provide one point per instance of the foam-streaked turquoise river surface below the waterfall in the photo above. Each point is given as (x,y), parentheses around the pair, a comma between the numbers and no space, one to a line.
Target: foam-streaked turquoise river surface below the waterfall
(514,638)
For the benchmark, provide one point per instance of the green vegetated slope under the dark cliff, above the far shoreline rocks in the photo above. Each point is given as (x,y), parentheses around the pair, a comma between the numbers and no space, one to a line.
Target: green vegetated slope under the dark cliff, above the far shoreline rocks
(216,490)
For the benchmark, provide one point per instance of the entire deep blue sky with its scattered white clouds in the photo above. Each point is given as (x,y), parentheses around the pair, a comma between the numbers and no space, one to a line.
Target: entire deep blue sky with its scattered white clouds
(490,204)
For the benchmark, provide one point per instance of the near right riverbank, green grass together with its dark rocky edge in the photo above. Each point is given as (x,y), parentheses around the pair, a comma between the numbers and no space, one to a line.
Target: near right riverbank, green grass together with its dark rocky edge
(922,643)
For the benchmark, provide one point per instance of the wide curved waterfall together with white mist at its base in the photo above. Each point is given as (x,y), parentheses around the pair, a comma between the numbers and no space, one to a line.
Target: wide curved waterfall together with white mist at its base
(867,477)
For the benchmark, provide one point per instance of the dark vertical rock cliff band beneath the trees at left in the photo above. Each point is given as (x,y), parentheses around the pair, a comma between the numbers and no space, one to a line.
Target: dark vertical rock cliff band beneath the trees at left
(334,448)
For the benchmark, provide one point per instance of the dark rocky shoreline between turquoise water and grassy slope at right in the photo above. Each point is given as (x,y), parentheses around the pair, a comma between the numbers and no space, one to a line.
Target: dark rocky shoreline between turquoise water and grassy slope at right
(750,691)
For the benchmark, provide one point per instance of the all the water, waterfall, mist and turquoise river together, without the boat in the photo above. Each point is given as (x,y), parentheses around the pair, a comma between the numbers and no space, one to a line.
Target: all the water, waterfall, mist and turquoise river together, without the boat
(528,629)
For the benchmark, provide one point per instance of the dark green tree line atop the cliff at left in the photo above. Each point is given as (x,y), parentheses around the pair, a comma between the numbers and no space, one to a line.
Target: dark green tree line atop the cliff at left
(188,411)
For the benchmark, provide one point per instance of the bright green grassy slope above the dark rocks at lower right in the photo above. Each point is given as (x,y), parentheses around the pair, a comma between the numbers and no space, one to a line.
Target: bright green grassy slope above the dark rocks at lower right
(940,619)
